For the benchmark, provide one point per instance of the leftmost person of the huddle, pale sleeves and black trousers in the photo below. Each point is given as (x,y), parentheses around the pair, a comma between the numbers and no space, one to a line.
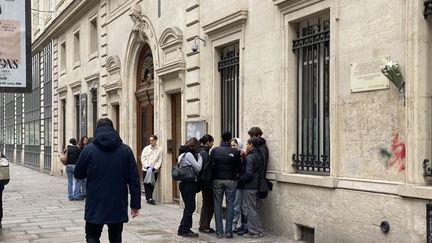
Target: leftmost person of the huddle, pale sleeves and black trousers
(189,156)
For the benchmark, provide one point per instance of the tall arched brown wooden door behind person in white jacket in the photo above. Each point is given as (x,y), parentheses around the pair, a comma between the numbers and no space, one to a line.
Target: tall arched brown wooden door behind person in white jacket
(145,97)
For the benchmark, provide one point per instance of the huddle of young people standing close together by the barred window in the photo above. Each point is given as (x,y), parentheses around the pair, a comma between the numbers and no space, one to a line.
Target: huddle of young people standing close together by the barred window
(226,170)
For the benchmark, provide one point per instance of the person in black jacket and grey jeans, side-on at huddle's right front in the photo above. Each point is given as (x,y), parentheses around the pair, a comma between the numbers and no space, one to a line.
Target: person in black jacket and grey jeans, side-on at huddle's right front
(249,182)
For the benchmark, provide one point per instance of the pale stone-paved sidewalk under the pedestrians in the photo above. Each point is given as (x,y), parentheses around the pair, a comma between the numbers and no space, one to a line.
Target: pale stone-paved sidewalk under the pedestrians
(36,209)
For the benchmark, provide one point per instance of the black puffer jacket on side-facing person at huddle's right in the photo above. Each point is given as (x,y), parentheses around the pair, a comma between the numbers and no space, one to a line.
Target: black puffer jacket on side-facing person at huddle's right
(249,180)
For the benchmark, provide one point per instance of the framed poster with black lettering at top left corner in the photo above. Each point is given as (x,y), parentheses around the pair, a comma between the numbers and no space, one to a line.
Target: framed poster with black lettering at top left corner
(15,65)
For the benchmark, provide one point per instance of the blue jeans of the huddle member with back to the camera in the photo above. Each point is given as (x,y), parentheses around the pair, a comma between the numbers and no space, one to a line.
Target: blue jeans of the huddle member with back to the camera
(219,187)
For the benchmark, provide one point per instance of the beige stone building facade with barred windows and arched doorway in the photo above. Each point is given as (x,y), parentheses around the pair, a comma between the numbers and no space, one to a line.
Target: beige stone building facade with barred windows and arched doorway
(346,147)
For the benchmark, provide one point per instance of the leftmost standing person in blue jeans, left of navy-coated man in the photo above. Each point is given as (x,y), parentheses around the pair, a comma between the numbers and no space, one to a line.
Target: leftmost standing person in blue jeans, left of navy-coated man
(73,152)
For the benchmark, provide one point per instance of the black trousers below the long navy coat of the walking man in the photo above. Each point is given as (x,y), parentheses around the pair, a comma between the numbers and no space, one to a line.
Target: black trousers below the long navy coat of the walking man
(94,231)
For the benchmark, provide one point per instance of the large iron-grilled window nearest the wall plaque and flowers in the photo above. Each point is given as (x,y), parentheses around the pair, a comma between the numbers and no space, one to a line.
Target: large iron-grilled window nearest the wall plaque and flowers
(312,48)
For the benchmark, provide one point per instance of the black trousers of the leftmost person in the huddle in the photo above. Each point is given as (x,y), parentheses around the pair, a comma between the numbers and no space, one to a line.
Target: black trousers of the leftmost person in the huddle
(188,192)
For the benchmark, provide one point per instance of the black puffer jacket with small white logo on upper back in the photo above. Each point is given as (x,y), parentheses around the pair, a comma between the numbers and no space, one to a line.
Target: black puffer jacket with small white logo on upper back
(226,162)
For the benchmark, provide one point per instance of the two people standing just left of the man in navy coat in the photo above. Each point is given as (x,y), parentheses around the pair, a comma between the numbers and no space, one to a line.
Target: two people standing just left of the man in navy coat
(77,193)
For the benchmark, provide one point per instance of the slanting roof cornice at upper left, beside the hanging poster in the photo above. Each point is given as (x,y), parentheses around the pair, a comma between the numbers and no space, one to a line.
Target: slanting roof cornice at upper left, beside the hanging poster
(62,22)
